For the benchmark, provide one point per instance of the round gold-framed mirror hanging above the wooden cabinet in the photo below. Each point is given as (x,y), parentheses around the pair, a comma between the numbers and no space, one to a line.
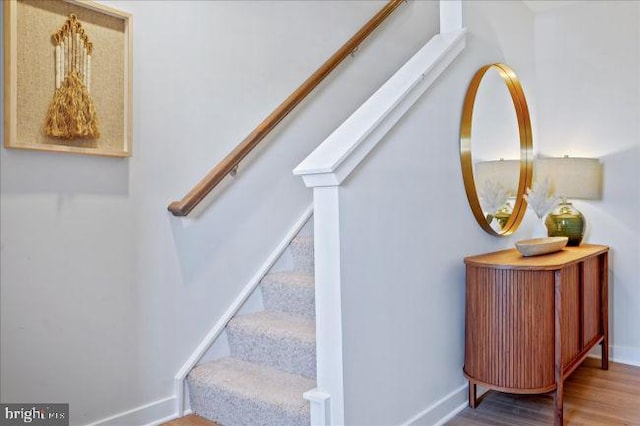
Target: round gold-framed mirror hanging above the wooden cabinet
(496,116)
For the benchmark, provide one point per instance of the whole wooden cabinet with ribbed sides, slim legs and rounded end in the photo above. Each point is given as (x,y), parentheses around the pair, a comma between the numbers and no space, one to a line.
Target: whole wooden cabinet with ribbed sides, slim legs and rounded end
(530,321)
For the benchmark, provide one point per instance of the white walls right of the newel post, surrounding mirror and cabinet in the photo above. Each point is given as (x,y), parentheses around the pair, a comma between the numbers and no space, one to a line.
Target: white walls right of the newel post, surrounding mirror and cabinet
(403,284)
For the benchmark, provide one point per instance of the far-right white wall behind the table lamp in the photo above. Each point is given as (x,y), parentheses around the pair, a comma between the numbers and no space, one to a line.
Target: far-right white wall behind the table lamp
(588,79)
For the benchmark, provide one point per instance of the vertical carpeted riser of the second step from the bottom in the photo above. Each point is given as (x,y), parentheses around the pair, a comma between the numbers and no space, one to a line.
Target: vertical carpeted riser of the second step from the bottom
(293,356)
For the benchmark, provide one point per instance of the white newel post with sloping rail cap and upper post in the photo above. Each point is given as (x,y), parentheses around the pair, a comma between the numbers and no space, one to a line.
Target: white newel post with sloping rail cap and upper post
(327,167)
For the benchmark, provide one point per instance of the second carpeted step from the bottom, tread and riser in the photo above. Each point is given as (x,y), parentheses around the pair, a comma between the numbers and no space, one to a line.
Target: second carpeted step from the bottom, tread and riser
(275,339)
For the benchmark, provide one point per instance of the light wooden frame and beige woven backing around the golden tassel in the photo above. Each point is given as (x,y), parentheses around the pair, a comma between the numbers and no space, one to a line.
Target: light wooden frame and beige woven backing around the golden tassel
(31,75)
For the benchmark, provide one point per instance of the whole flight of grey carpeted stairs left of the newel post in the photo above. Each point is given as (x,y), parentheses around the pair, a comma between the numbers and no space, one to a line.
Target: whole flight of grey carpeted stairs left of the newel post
(273,354)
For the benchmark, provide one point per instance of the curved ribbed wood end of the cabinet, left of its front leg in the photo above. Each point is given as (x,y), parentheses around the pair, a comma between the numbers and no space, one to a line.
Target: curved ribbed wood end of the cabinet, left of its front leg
(509,329)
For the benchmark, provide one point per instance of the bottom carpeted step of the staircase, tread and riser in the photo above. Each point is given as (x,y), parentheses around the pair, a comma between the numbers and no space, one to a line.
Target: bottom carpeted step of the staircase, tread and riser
(235,392)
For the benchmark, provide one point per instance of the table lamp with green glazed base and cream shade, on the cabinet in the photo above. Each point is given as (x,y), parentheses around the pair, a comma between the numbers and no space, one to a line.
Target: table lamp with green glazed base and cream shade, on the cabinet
(570,178)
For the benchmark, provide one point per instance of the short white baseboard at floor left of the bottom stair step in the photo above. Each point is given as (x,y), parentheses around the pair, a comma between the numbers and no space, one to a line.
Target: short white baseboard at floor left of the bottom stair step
(148,414)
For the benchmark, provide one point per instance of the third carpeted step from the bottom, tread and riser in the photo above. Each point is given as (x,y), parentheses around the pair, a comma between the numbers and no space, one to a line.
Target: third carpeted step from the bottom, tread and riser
(290,292)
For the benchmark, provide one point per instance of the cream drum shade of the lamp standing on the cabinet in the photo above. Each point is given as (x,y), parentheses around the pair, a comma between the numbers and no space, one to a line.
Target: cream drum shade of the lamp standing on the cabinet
(578,178)
